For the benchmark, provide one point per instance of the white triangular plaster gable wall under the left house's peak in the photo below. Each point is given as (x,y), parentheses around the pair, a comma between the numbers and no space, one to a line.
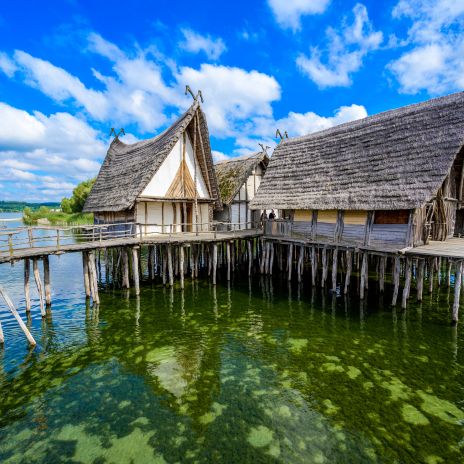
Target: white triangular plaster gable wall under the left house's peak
(162,180)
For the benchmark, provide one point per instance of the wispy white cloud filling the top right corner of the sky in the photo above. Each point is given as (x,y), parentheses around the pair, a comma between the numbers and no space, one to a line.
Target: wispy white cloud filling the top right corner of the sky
(433,60)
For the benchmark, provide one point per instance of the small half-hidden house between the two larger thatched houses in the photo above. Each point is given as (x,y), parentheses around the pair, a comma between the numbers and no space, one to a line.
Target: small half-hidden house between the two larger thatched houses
(238,181)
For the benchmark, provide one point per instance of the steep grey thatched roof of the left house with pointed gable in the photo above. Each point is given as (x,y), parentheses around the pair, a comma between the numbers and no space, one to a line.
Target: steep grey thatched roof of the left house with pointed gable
(128,168)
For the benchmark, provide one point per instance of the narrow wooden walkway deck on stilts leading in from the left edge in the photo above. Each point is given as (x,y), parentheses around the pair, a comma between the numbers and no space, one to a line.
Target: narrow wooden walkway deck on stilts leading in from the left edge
(185,238)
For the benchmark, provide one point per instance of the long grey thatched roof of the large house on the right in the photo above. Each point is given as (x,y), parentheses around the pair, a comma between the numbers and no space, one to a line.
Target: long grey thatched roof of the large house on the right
(393,160)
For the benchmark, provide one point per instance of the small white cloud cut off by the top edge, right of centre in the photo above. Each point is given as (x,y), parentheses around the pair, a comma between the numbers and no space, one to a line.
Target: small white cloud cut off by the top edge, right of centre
(288,13)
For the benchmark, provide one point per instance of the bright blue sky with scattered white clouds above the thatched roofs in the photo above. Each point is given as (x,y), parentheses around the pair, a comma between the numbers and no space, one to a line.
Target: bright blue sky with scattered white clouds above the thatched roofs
(70,70)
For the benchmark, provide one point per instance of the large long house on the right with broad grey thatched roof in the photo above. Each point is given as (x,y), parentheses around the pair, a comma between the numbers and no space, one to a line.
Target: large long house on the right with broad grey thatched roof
(388,181)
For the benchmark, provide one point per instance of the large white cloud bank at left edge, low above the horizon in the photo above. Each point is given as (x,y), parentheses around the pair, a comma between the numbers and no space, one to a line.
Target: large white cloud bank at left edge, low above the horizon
(43,157)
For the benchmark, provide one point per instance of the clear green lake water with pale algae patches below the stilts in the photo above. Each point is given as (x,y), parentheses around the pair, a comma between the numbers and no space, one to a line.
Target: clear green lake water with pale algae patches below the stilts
(254,371)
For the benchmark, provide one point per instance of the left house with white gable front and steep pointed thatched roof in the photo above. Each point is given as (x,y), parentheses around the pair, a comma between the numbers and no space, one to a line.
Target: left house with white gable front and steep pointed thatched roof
(164,183)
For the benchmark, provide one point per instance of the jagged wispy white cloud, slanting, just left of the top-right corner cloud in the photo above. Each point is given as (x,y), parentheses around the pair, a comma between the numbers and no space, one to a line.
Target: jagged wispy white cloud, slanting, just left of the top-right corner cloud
(345,52)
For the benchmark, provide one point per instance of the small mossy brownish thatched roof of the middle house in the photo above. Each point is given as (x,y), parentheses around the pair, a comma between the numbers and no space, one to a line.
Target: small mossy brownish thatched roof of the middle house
(233,173)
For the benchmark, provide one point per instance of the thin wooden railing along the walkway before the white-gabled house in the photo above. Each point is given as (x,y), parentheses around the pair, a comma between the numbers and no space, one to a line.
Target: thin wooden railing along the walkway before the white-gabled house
(15,240)
